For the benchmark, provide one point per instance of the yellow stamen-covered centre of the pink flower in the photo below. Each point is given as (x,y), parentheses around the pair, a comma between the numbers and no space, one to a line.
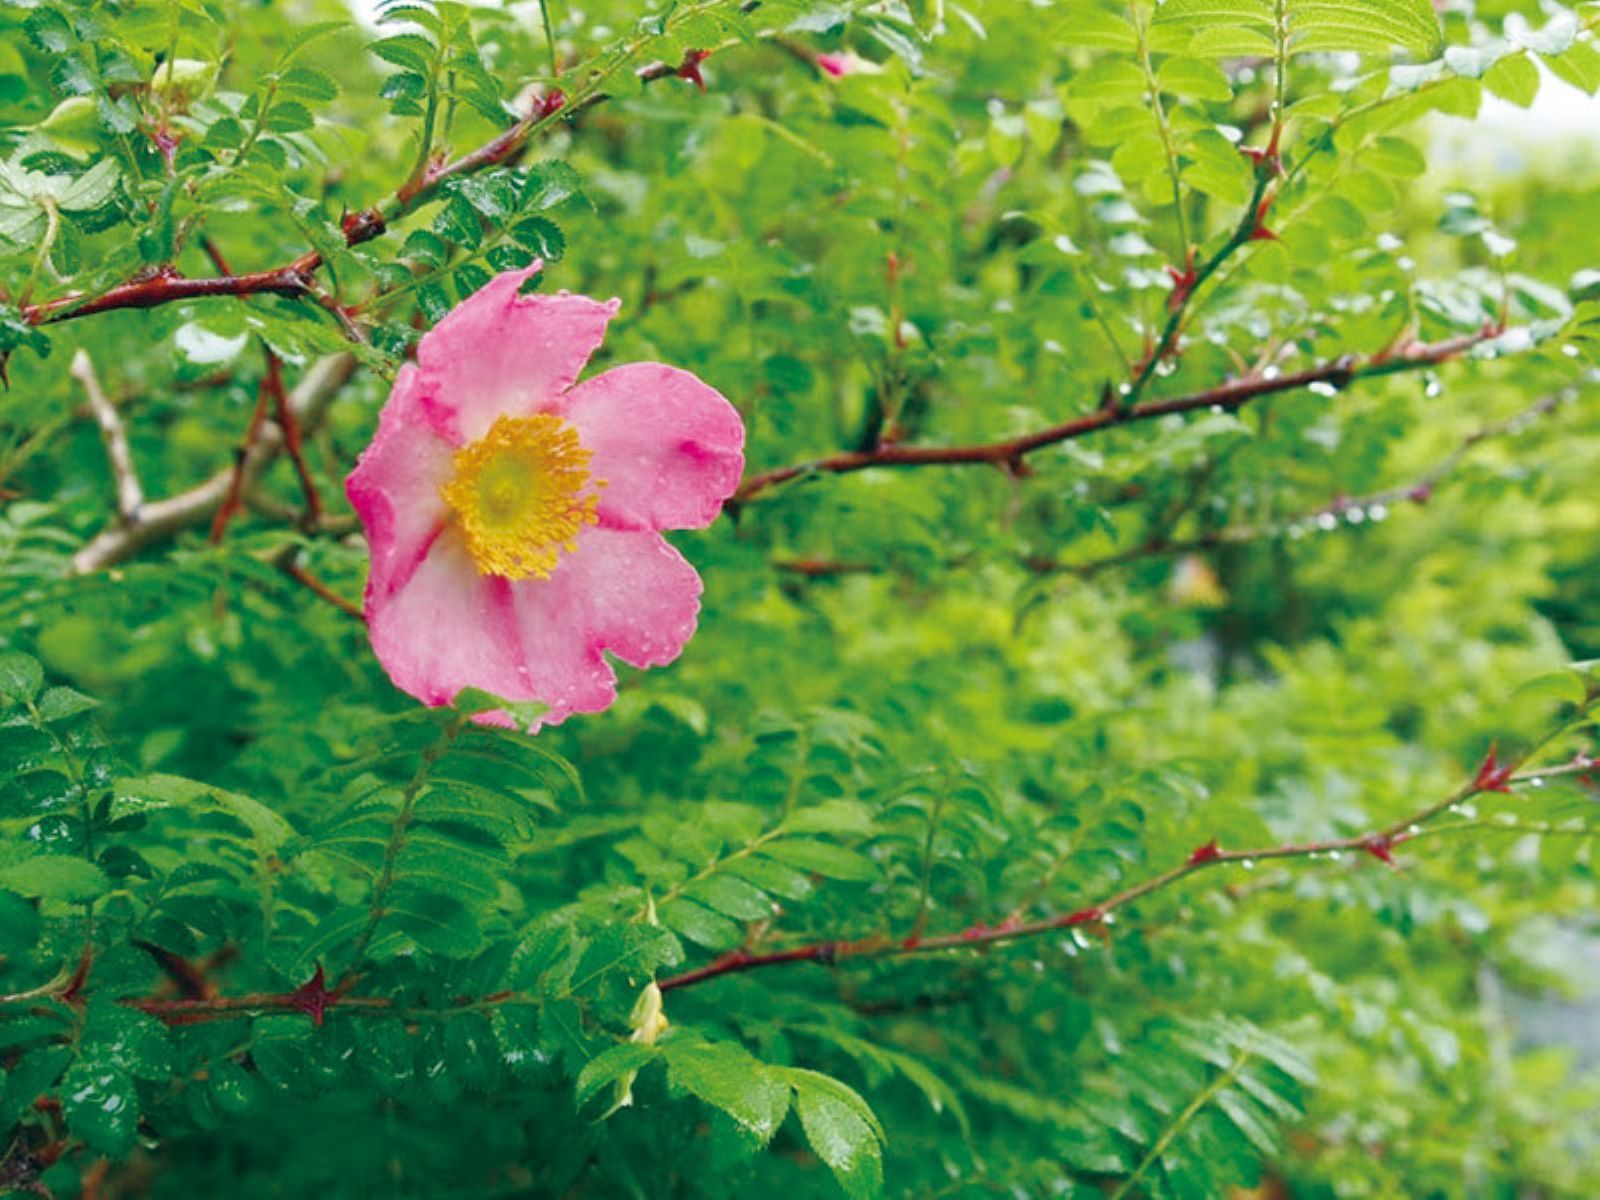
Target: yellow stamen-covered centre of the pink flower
(519,495)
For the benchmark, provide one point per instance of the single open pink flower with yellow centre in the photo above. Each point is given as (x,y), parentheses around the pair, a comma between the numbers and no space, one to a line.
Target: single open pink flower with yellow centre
(514,516)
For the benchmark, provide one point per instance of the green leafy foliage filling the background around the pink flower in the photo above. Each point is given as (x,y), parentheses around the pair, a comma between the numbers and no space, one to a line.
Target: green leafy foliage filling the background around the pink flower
(922,702)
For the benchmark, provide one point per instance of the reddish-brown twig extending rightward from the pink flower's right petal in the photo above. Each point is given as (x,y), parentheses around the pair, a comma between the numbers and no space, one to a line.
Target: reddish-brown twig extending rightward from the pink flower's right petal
(1230,396)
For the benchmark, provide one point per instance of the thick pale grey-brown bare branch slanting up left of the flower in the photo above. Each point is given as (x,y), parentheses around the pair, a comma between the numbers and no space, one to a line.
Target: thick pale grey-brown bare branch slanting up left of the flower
(166,518)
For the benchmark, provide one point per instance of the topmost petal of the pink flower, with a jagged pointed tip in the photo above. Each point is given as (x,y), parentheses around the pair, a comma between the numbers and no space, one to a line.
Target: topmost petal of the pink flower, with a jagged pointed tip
(500,353)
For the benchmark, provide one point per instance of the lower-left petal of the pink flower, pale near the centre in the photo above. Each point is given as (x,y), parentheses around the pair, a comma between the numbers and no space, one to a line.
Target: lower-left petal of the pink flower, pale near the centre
(447,628)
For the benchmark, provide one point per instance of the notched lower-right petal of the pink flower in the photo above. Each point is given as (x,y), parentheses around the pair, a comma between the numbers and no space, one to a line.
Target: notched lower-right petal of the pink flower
(622,591)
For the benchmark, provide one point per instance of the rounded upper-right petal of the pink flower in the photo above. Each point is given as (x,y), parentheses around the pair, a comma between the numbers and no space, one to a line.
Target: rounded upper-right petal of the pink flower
(670,447)
